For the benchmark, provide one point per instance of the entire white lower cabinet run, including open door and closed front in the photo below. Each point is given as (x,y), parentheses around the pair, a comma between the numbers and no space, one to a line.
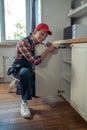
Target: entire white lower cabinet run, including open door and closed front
(65,73)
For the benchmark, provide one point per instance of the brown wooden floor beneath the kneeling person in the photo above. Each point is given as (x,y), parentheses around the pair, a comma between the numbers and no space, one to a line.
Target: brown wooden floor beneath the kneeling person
(48,113)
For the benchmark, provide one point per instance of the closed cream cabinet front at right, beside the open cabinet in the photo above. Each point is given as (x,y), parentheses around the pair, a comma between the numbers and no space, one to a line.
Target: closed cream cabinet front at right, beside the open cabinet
(79,79)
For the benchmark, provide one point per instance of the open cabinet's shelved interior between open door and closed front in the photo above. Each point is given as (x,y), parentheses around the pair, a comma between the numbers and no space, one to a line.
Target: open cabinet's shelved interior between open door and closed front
(65,75)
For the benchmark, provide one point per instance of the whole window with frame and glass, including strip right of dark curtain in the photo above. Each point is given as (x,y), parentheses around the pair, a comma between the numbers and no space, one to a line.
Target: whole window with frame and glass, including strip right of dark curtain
(16,18)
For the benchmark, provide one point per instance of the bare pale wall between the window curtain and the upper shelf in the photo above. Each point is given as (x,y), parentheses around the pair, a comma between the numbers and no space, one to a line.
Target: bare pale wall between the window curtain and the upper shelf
(54,13)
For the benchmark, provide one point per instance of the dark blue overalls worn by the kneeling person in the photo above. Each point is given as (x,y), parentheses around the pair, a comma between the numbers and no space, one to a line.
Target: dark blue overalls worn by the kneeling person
(23,71)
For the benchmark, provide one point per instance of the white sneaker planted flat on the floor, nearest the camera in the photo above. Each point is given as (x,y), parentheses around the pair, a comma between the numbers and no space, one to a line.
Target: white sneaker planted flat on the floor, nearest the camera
(25,111)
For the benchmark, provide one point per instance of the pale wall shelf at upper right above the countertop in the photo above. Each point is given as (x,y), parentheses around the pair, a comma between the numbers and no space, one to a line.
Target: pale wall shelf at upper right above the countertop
(79,11)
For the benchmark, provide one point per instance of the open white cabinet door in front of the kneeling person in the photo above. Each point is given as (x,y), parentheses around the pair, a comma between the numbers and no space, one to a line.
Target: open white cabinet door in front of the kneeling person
(47,73)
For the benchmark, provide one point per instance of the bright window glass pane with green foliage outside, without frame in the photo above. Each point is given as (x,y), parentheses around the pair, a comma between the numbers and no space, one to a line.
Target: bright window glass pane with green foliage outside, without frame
(15,19)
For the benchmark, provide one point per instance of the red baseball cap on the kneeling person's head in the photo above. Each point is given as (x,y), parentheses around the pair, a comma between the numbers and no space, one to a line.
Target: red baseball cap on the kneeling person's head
(43,27)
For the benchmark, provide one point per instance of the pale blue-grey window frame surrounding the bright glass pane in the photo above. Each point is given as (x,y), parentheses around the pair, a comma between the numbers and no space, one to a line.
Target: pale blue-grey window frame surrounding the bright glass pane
(2,22)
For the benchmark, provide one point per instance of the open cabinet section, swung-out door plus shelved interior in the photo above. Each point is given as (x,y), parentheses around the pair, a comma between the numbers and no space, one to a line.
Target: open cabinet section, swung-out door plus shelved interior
(53,75)
